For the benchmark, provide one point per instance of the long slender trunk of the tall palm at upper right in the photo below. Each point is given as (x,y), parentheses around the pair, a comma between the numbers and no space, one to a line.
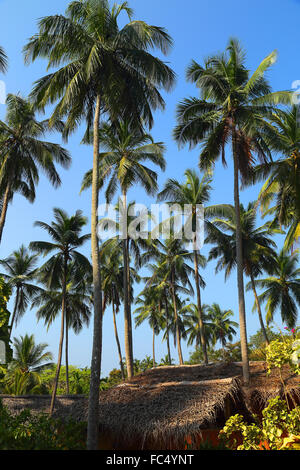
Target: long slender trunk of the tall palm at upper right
(240,279)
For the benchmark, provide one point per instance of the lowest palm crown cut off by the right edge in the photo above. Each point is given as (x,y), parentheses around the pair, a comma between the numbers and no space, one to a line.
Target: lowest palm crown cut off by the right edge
(282,288)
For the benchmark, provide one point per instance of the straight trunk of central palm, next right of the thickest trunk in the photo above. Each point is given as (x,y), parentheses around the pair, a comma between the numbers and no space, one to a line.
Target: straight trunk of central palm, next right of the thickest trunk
(127,313)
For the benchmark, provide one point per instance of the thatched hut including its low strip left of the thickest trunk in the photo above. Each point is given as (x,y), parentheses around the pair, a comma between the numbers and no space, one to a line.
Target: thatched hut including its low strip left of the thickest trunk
(163,407)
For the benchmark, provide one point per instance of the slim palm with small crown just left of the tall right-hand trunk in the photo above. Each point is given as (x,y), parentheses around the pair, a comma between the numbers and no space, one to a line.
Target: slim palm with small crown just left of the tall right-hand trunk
(194,192)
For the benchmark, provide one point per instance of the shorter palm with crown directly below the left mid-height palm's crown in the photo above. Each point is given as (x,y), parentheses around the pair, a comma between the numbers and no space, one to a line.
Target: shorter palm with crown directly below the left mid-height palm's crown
(78,304)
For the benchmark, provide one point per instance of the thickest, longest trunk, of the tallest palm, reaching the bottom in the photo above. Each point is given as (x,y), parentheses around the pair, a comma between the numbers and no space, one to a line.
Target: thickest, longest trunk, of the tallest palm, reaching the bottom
(93,410)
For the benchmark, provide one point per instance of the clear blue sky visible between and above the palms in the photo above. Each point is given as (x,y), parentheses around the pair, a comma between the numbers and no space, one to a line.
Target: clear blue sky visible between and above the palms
(198,28)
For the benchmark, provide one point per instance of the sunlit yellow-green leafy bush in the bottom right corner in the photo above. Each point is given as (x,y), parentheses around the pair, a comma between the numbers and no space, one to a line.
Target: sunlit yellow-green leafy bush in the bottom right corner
(278,430)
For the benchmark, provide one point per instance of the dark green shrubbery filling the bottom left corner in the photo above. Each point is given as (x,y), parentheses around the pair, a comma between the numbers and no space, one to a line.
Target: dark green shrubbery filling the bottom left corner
(26,431)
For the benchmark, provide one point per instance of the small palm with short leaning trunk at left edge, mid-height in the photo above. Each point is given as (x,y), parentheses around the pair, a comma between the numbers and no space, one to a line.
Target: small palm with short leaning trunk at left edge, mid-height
(20,269)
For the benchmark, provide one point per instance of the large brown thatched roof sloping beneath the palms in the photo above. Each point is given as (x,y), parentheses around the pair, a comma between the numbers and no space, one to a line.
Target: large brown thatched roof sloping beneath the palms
(173,402)
